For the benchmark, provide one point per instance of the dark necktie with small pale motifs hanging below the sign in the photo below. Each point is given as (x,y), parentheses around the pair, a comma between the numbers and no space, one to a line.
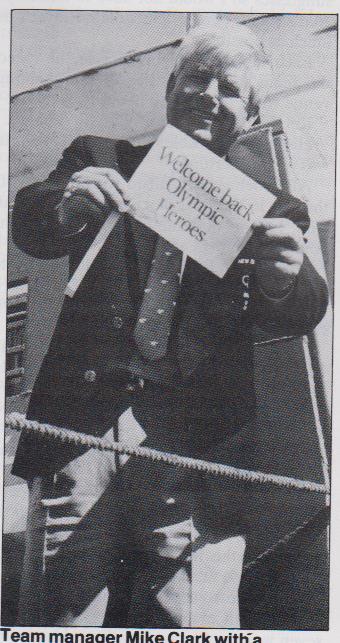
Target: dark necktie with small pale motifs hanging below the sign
(158,306)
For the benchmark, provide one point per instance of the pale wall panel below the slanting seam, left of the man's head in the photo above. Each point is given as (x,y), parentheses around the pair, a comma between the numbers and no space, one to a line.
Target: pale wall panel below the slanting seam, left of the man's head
(126,101)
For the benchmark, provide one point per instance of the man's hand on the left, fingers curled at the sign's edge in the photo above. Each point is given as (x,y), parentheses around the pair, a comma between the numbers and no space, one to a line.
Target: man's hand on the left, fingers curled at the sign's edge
(103,186)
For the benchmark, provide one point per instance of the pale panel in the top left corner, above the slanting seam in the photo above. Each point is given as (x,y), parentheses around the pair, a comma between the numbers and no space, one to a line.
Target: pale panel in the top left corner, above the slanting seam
(47,45)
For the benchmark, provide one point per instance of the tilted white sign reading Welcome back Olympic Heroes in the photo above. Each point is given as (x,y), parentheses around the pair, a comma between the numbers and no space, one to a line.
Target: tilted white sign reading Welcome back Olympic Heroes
(196,200)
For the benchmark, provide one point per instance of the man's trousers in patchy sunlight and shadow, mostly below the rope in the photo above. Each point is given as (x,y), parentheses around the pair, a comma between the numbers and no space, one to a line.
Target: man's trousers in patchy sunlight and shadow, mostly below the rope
(116,542)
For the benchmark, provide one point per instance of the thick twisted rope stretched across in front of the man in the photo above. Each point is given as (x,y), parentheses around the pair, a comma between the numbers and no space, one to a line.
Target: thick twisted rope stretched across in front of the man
(17,421)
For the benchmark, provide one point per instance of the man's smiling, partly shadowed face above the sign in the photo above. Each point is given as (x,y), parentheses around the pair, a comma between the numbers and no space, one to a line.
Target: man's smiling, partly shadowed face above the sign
(208,101)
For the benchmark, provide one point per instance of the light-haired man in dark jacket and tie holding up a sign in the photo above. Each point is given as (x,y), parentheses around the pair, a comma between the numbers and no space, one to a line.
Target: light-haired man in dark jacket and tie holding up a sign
(169,545)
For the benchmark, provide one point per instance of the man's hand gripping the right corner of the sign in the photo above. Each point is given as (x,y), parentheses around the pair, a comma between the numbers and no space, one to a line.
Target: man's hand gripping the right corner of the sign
(279,249)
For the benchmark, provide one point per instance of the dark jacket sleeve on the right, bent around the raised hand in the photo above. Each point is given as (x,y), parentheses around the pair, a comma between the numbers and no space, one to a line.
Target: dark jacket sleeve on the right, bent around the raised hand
(300,311)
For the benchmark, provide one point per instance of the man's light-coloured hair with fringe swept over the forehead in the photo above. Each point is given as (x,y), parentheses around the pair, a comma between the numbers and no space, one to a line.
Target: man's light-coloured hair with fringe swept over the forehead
(231,44)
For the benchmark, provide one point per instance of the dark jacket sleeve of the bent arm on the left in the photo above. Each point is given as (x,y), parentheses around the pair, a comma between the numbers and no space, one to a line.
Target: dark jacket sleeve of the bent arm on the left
(36,228)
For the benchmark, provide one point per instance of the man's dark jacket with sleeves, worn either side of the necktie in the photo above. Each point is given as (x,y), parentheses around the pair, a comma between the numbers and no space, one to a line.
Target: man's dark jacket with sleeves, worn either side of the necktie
(212,331)
